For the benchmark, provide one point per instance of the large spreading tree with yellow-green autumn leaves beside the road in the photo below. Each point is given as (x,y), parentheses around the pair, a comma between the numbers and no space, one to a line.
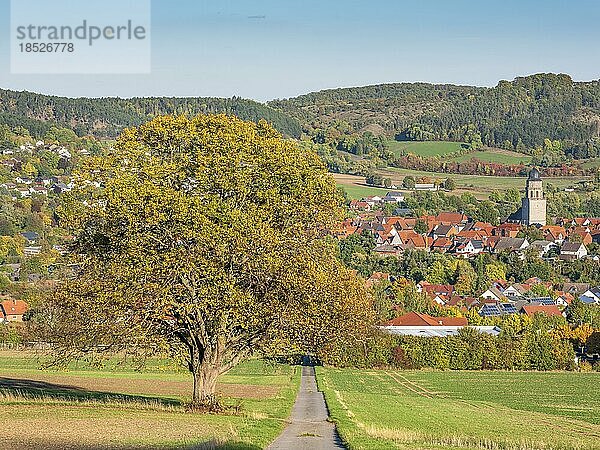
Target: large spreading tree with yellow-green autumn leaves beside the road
(207,238)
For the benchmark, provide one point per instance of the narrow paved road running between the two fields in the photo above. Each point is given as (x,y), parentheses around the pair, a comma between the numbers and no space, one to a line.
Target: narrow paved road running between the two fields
(309,428)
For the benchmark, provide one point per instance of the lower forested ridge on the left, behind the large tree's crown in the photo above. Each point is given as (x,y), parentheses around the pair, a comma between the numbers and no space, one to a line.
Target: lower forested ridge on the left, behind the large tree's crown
(106,117)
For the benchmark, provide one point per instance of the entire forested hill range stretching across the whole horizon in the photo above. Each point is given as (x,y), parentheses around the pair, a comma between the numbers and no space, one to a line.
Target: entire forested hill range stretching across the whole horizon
(516,115)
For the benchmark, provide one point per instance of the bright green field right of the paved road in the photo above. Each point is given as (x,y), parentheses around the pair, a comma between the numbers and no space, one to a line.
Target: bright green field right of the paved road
(378,409)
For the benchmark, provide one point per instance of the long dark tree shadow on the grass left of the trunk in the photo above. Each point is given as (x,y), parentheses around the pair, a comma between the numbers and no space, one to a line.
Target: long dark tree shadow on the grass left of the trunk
(32,388)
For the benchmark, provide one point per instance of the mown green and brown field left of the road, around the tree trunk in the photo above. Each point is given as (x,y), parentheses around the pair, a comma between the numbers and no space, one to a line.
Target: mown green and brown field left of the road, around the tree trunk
(119,407)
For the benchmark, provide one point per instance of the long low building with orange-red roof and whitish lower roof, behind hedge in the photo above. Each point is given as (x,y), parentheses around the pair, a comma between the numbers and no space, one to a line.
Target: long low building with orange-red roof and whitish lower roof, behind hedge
(417,324)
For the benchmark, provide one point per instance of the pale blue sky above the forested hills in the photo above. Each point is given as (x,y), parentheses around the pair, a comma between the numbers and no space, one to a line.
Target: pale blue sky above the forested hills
(266,49)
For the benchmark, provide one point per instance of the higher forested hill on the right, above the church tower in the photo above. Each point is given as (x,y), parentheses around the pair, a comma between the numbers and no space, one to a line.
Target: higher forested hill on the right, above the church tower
(522,112)
